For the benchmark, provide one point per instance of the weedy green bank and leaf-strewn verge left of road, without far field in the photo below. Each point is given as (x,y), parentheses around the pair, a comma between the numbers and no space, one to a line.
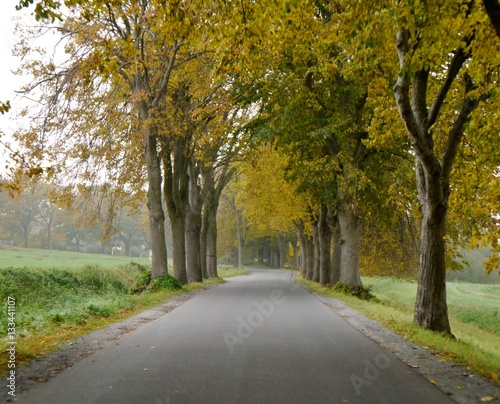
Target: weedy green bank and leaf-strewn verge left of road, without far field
(55,306)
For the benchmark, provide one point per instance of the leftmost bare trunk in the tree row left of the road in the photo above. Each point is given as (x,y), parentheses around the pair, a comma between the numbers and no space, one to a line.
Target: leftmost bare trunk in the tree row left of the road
(156,213)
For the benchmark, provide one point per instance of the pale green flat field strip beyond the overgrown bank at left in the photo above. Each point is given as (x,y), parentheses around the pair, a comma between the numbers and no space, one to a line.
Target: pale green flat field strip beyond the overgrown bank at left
(14,257)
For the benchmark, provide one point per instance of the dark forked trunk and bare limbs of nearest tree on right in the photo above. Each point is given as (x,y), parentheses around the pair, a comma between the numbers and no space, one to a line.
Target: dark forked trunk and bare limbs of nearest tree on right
(432,171)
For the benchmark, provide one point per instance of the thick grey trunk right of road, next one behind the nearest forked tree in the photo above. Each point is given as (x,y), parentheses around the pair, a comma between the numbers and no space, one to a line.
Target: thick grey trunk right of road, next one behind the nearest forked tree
(350,228)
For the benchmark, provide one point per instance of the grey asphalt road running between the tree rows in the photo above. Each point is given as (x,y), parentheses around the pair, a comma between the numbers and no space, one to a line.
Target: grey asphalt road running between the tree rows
(256,339)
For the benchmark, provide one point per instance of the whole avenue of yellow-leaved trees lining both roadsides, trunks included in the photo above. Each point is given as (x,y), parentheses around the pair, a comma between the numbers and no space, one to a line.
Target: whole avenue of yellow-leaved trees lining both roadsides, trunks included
(341,121)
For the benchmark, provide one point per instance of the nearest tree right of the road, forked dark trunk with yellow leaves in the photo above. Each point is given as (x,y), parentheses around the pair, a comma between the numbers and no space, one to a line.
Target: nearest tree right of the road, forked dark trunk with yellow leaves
(438,88)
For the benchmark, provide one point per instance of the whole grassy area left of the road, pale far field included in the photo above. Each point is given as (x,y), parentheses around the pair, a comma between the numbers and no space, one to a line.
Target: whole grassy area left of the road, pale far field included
(61,295)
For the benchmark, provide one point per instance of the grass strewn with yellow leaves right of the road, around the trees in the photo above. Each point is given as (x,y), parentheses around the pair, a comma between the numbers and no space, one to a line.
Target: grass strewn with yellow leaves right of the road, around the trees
(473,315)
